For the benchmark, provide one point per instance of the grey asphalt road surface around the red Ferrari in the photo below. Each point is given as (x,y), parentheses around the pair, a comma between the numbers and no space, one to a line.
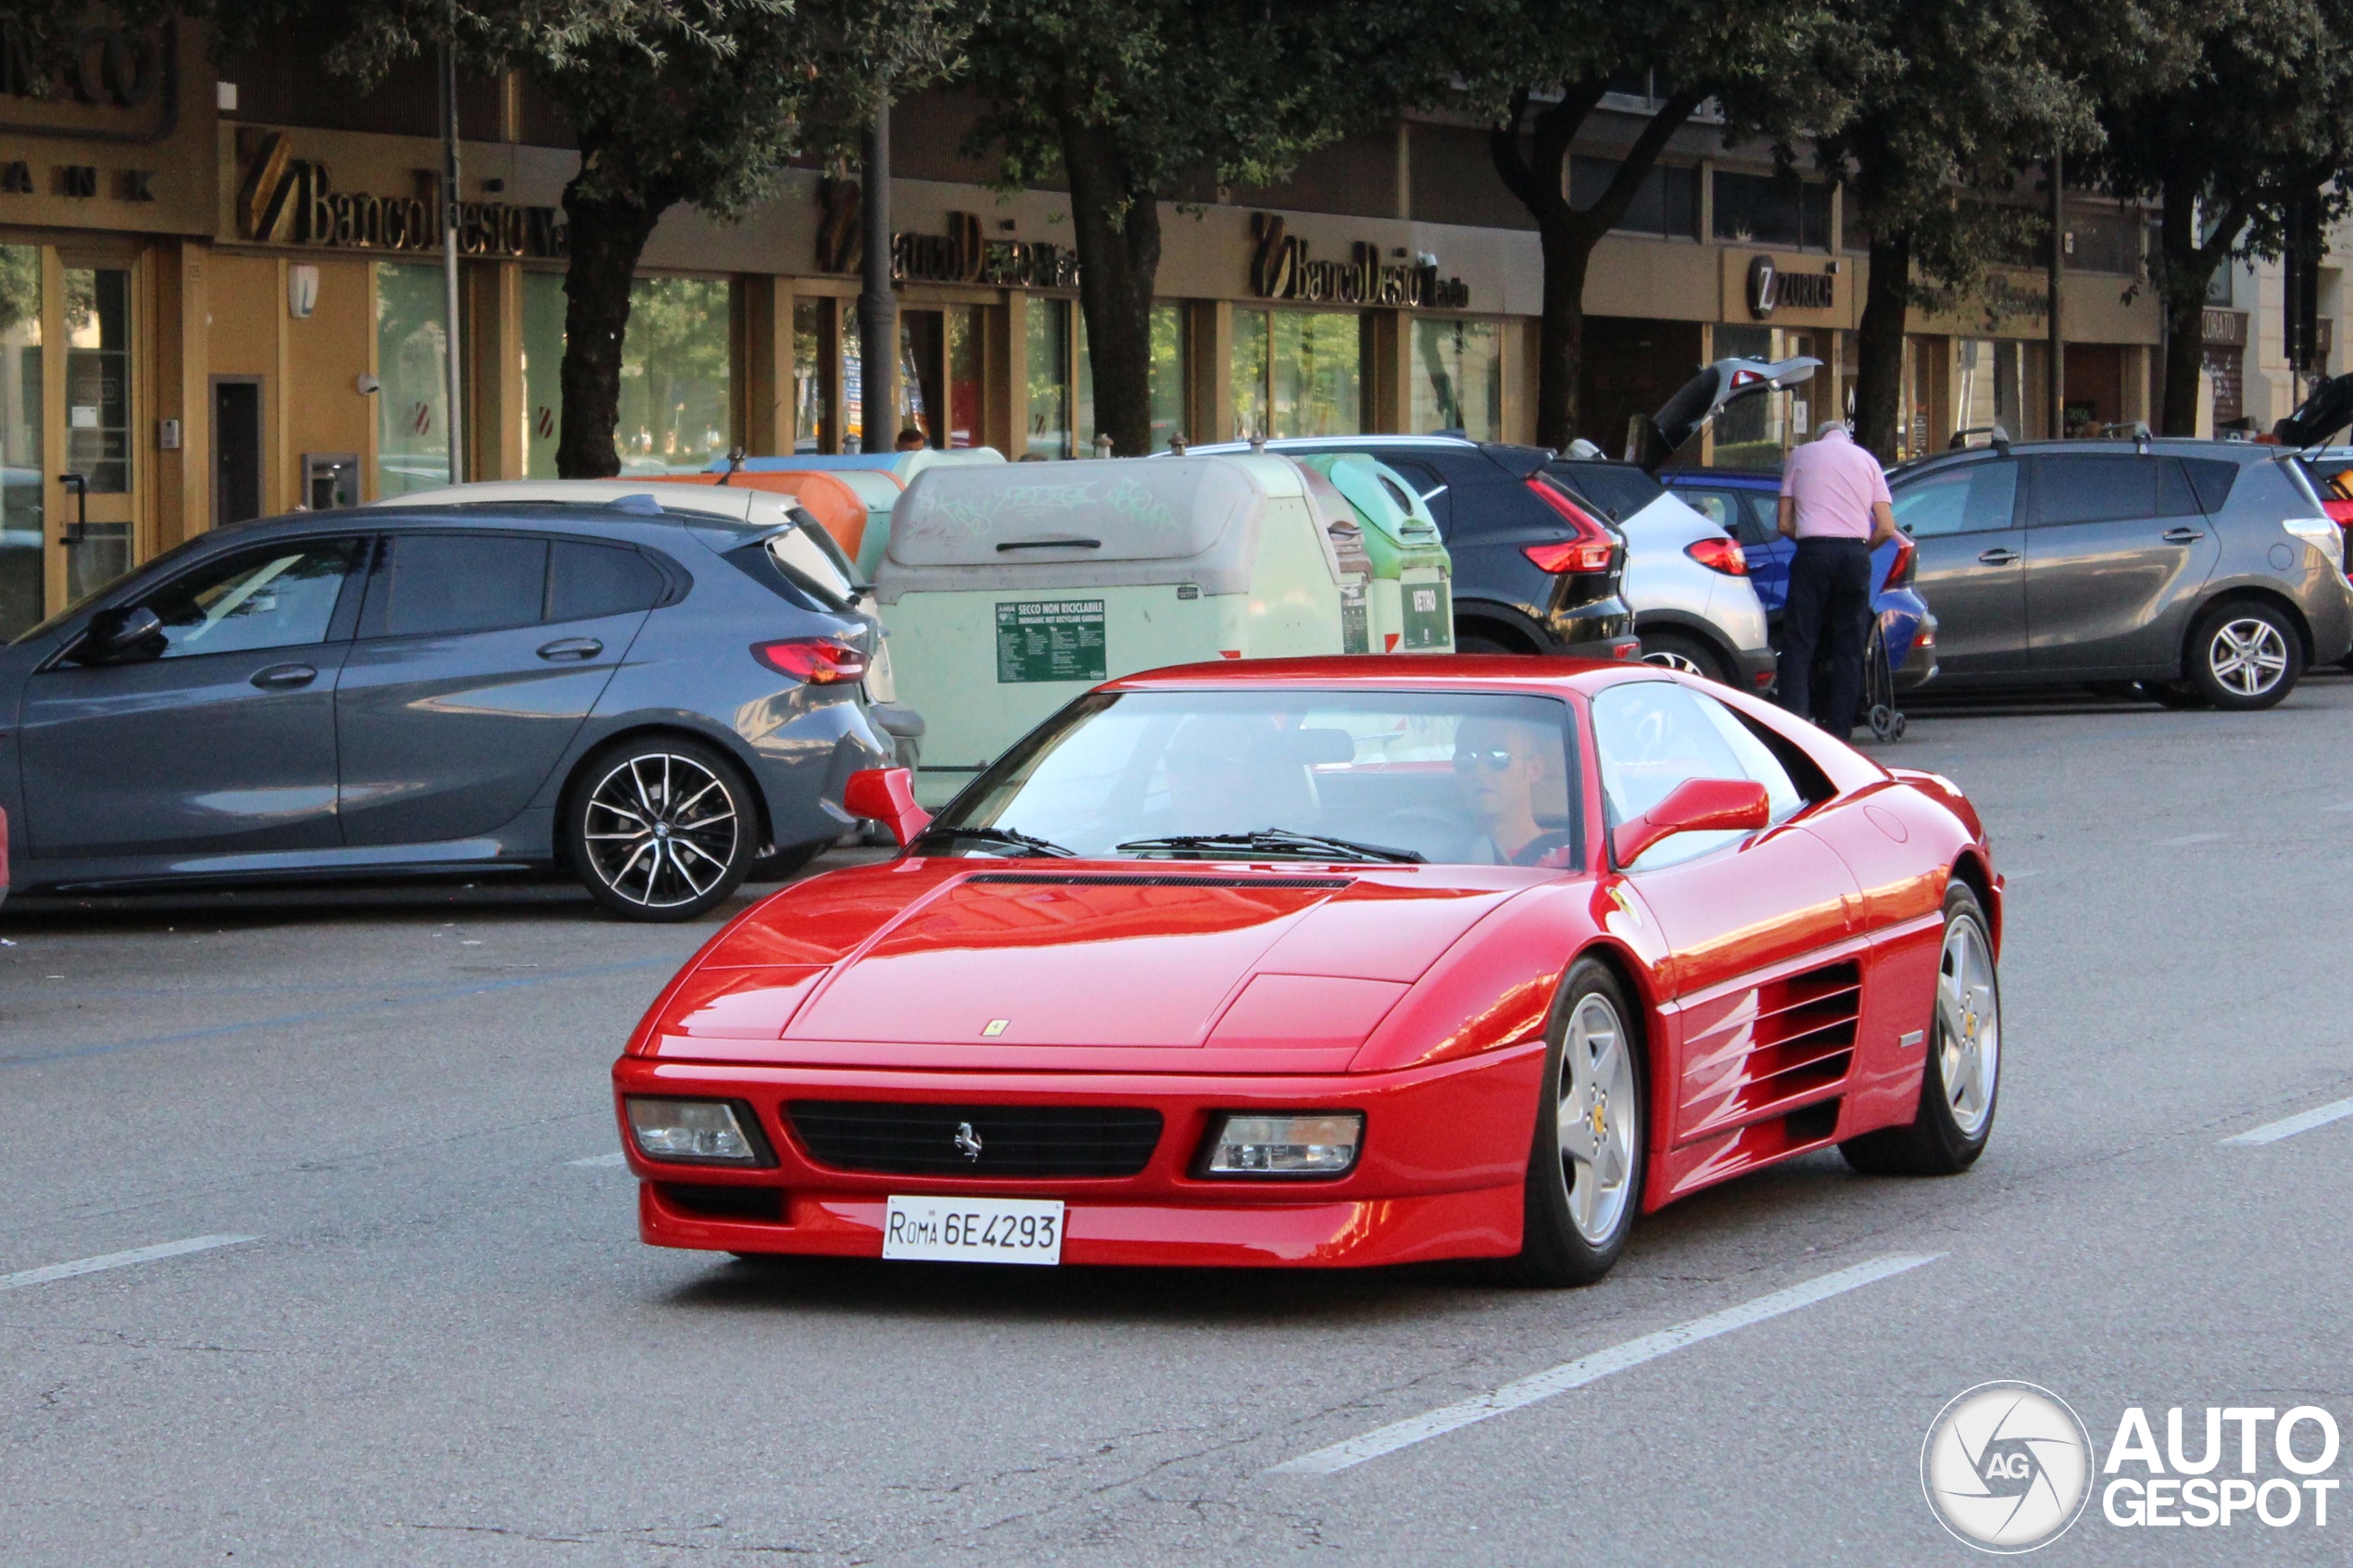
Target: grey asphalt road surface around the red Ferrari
(441,1341)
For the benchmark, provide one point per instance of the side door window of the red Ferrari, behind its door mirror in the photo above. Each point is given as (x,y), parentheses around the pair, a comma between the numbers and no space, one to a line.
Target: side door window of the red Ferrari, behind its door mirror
(1655,737)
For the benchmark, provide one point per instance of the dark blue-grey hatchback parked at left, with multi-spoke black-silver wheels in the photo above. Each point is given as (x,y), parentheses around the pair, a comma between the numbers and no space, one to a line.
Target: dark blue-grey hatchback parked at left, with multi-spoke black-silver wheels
(646,699)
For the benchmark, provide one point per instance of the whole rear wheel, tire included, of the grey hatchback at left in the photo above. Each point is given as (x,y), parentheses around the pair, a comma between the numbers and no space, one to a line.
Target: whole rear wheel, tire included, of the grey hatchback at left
(662,829)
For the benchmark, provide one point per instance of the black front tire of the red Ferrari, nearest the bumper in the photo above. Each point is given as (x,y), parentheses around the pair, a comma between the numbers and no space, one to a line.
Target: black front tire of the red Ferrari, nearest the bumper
(1559,1247)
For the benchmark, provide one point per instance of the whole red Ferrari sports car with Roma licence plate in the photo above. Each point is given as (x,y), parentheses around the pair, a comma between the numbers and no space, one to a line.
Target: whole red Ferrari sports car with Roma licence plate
(1335,963)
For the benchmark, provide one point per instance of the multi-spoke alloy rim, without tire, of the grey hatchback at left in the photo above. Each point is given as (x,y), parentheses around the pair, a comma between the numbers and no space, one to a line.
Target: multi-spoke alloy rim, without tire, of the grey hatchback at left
(662,831)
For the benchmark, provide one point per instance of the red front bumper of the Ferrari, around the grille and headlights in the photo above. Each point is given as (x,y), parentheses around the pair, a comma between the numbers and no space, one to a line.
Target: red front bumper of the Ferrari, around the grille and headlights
(1439,1177)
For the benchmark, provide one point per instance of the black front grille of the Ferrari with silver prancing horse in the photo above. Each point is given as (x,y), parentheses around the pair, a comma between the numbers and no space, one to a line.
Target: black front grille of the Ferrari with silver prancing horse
(1013,1139)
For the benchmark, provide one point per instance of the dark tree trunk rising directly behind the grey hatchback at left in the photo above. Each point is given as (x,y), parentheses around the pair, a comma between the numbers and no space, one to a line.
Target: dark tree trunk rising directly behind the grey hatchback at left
(606,239)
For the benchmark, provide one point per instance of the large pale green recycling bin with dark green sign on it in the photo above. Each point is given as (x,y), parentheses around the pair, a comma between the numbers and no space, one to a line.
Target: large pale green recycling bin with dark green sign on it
(1013,589)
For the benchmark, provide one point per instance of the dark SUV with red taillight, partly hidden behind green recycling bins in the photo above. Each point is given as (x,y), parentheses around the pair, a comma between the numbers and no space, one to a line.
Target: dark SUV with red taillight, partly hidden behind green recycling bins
(1535,572)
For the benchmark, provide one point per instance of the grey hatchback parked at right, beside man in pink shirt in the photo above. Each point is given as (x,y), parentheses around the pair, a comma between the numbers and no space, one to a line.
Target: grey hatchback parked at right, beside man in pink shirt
(2208,572)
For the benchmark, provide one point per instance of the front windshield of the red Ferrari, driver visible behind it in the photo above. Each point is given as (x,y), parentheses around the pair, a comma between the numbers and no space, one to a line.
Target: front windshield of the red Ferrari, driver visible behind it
(1467,779)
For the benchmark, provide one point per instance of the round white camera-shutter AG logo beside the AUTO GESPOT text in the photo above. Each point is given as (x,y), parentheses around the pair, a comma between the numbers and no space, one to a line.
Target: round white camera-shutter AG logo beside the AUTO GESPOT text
(2006,1468)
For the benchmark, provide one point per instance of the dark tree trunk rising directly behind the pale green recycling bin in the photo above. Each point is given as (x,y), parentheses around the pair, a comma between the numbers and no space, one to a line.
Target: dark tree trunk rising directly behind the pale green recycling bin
(1116,227)
